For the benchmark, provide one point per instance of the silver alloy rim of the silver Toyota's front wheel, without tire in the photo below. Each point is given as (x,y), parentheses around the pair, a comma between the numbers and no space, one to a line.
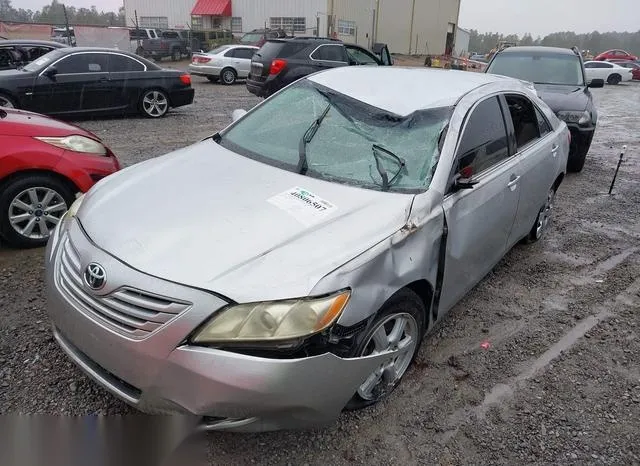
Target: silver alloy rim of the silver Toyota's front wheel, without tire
(399,332)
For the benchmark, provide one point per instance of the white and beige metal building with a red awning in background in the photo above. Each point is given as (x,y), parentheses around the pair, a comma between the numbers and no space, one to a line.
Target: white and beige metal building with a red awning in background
(407,26)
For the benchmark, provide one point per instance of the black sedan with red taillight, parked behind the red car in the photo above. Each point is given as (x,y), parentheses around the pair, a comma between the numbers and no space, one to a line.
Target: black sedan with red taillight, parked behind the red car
(78,81)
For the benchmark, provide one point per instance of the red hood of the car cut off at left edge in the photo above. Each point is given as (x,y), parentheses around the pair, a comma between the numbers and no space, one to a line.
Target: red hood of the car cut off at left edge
(23,123)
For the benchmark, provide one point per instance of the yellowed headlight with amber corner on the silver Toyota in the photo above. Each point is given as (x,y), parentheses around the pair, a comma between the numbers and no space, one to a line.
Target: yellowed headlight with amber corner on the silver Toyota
(273,321)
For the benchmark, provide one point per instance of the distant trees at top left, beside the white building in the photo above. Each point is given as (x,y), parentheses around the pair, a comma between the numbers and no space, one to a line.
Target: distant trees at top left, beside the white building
(54,14)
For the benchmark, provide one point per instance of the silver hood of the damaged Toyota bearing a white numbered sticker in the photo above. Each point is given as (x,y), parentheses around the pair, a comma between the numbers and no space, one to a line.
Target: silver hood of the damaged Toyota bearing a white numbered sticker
(209,218)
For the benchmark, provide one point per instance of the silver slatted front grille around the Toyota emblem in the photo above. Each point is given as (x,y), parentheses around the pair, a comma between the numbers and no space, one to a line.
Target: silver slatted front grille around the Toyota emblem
(132,312)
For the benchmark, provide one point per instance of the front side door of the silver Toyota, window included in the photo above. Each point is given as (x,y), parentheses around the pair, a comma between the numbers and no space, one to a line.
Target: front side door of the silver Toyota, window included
(479,219)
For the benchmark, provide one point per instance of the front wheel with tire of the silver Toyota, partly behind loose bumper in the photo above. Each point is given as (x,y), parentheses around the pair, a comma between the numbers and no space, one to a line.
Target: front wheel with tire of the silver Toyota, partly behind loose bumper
(407,305)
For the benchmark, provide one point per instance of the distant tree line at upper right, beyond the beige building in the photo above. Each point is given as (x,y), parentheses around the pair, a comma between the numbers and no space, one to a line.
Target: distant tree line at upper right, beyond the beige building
(596,42)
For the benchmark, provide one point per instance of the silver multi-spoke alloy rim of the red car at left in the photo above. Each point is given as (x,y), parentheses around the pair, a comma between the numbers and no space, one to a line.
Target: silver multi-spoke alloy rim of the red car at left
(36,211)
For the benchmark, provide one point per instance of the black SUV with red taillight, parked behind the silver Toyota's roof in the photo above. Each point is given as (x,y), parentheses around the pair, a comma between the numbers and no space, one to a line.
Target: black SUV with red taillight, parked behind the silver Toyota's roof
(282,61)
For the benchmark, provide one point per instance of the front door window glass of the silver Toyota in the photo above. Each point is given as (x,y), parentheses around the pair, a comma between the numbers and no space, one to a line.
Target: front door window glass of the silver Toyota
(484,142)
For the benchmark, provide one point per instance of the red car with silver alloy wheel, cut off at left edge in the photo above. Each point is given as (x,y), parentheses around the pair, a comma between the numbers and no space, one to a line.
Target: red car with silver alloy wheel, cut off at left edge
(44,163)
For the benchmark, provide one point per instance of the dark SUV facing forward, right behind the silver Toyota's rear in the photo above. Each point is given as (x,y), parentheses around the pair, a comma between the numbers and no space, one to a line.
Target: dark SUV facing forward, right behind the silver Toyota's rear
(559,78)
